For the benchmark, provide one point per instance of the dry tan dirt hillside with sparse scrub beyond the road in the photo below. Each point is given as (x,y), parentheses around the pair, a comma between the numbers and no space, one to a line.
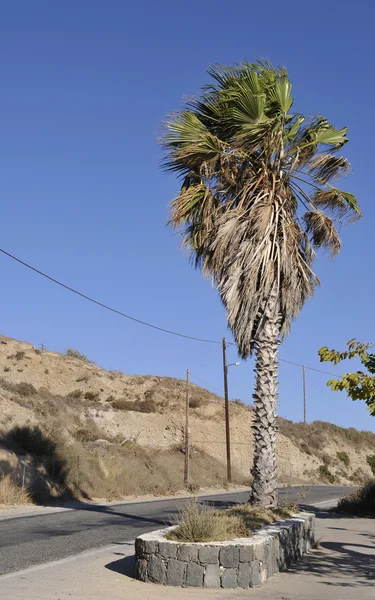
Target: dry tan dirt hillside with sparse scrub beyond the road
(112,424)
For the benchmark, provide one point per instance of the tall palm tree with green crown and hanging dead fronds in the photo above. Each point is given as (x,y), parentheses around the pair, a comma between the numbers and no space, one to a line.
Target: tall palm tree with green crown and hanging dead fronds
(256,200)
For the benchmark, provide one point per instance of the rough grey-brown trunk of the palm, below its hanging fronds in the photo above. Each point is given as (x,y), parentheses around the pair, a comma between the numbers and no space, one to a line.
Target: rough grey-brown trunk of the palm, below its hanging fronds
(264,470)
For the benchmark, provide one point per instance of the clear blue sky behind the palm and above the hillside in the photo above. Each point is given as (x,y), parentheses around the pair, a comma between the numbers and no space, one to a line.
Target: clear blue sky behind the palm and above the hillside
(85,85)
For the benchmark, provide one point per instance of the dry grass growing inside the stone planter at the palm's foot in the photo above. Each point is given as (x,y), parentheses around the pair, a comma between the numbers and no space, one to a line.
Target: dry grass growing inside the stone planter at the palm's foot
(200,523)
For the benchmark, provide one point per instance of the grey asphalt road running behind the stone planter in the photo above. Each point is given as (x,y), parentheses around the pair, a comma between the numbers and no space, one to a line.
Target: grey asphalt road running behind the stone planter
(36,539)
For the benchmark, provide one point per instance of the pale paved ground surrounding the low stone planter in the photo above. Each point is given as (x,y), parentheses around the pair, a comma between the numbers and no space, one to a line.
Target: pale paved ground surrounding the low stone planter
(343,568)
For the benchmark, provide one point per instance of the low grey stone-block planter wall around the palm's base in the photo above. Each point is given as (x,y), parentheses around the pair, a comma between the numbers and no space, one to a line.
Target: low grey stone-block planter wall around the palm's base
(239,563)
